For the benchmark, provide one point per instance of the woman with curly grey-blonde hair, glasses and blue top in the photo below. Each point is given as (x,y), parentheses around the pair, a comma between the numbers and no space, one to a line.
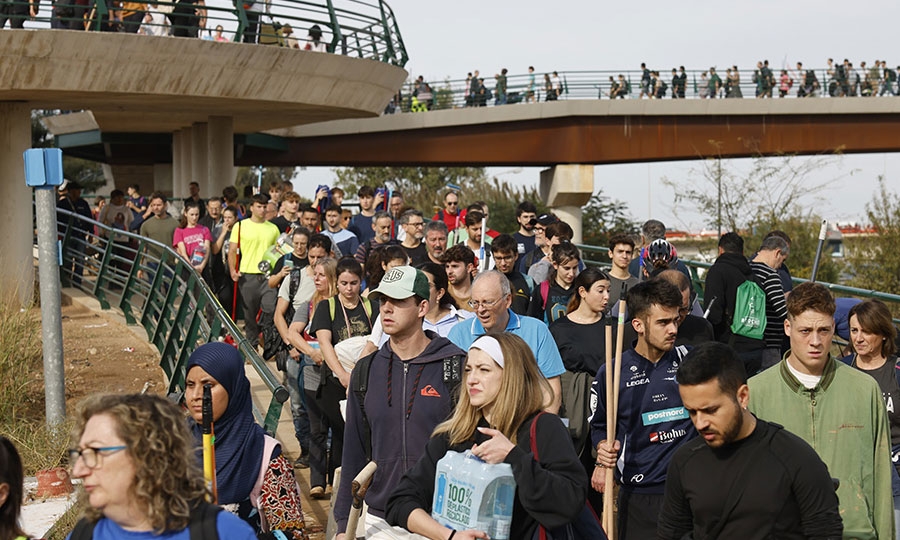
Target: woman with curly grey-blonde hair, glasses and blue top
(134,456)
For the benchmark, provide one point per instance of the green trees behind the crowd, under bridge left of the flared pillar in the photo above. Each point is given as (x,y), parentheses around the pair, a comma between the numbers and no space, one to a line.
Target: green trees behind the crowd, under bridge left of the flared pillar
(424,188)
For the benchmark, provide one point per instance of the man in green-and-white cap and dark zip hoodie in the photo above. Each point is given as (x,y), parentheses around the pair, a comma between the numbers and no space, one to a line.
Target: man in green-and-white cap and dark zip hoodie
(411,395)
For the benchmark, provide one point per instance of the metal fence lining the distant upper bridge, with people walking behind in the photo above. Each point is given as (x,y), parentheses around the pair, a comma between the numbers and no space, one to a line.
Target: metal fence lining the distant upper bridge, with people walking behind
(455,93)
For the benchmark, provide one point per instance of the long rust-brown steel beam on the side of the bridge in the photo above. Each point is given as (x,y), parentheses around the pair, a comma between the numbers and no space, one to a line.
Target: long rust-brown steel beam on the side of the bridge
(597,140)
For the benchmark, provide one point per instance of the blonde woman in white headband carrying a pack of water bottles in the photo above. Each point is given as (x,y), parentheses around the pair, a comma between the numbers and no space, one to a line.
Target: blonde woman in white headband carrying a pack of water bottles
(499,417)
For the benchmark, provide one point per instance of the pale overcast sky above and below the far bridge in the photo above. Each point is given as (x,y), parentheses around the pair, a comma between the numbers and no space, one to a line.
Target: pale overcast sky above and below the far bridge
(449,39)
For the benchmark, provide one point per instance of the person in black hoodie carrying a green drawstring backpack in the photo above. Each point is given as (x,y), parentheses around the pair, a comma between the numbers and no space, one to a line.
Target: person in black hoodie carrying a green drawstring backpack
(724,277)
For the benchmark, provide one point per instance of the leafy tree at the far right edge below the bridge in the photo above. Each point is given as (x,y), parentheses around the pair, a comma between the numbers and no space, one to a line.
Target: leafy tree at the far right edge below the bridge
(875,261)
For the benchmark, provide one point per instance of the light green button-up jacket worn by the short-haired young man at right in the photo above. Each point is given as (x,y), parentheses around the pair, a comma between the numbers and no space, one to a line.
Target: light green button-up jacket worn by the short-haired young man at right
(844,420)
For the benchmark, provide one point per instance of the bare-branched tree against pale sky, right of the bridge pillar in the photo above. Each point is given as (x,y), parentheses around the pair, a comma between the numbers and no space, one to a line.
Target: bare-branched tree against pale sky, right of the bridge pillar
(759,198)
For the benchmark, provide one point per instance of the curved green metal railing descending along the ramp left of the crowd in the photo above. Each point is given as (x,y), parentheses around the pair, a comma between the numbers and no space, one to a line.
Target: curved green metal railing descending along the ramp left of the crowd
(156,288)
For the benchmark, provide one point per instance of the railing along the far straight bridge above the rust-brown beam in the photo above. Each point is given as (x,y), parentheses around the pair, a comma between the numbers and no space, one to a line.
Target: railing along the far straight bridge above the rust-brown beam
(452,93)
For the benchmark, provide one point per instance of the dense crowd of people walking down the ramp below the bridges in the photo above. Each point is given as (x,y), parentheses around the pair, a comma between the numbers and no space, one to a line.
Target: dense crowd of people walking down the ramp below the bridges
(444,334)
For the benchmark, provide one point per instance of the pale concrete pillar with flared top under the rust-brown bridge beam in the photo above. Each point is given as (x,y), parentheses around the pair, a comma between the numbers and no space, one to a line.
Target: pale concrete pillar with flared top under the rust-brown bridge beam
(565,189)
